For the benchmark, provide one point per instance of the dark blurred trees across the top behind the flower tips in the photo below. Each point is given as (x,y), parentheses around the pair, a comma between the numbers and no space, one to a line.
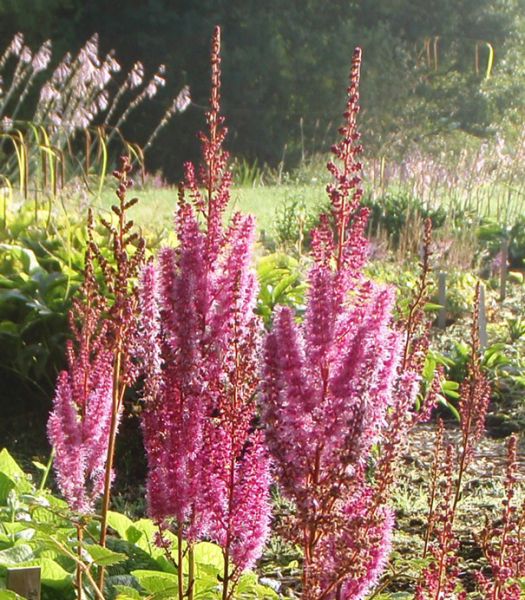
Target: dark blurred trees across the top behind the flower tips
(436,75)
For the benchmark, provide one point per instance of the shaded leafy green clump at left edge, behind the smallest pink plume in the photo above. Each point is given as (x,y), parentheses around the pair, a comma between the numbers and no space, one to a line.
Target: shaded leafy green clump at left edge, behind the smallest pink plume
(40,269)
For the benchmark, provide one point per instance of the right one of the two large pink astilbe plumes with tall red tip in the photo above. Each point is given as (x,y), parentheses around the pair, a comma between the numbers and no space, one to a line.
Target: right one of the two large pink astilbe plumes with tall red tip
(328,388)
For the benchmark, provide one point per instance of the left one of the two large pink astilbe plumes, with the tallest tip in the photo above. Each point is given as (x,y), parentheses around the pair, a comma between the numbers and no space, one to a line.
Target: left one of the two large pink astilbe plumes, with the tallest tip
(208,466)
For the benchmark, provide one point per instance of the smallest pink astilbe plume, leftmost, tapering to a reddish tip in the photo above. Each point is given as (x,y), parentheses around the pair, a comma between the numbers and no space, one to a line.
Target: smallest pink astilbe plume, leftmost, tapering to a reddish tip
(79,424)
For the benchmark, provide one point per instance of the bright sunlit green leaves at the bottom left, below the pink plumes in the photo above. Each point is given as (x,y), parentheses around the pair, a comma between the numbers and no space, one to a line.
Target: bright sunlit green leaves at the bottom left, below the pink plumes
(37,529)
